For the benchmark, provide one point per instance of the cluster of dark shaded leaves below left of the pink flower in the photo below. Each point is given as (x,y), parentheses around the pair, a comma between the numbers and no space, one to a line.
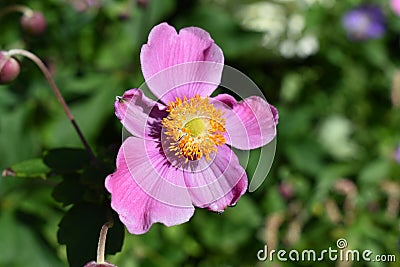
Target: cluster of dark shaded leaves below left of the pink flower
(82,186)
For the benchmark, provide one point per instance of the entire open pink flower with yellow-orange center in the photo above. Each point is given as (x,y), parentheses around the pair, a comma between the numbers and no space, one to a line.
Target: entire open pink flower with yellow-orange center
(179,156)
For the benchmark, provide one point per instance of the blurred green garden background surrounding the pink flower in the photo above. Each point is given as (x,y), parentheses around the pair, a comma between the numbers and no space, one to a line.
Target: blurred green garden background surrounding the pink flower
(330,67)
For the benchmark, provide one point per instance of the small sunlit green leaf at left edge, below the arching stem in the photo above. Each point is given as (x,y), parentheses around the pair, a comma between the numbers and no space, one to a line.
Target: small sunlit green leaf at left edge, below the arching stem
(33,168)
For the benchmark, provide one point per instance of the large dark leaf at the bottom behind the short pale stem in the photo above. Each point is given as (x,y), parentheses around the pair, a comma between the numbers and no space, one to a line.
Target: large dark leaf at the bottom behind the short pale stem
(79,231)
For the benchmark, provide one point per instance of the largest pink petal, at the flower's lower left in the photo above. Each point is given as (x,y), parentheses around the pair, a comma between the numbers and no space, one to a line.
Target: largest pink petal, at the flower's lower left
(145,189)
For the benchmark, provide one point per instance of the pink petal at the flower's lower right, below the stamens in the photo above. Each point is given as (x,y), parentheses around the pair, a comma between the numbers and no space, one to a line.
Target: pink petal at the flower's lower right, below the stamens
(219,185)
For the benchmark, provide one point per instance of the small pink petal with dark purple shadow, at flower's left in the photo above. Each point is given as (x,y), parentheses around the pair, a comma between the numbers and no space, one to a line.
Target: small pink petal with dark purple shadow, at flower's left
(140,115)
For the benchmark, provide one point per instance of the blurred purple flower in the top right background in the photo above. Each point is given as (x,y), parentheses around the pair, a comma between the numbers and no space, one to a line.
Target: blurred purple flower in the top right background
(364,22)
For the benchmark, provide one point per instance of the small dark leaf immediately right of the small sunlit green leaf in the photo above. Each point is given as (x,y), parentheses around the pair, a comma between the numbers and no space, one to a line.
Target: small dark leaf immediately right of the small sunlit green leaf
(66,159)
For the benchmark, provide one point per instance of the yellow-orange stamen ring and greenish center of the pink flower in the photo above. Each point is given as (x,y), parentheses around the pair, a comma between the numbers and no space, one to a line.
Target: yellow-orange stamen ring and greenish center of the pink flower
(194,128)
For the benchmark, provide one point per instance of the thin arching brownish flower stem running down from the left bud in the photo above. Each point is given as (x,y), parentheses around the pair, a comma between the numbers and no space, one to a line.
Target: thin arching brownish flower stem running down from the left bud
(56,91)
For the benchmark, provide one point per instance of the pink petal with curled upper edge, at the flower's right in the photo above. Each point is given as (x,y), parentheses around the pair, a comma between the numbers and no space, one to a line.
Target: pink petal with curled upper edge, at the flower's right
(250,123)
